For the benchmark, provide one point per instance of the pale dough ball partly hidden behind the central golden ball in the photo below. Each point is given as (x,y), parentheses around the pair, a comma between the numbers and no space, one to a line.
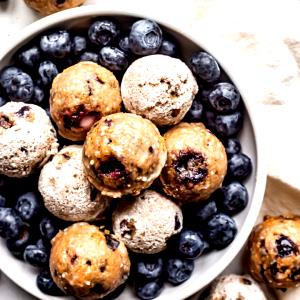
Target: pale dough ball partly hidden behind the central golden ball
(66,192)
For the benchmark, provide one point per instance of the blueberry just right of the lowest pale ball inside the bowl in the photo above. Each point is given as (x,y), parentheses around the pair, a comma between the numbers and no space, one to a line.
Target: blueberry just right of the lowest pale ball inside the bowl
(191,245)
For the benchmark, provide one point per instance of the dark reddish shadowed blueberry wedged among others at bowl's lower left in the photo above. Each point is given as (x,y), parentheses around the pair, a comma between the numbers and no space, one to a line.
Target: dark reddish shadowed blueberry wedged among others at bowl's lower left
(18,244)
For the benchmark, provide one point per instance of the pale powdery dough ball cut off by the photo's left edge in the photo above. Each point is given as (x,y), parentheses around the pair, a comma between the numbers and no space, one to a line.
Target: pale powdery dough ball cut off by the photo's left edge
(27,139)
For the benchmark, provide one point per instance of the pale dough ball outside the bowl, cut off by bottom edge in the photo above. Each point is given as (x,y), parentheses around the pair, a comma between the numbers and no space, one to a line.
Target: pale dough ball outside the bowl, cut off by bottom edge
(233,287)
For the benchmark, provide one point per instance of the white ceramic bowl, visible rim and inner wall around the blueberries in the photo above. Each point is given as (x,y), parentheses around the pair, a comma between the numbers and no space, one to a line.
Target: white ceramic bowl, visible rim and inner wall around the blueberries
(208,266)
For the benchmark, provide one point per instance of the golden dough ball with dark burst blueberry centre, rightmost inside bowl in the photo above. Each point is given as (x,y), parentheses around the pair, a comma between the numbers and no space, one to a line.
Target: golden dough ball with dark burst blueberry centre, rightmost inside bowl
(196,163)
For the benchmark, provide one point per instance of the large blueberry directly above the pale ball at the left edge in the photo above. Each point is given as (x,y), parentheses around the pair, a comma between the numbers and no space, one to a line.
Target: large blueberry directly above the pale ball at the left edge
(20,88)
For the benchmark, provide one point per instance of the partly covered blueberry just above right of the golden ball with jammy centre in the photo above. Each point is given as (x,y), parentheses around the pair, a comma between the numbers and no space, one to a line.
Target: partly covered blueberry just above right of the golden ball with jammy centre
(229,125)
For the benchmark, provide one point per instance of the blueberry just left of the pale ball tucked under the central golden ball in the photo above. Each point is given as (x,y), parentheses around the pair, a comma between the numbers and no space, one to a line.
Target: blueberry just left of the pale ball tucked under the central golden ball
(28,206)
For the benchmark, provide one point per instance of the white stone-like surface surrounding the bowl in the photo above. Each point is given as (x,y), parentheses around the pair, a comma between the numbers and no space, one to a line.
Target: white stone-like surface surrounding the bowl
(260,39)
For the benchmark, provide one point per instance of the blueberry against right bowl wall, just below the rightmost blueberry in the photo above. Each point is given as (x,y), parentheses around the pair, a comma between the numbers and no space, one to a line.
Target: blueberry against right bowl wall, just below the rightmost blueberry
(233,198)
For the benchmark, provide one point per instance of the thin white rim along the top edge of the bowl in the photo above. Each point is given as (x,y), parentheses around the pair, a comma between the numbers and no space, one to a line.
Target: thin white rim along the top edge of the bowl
(106,8)
